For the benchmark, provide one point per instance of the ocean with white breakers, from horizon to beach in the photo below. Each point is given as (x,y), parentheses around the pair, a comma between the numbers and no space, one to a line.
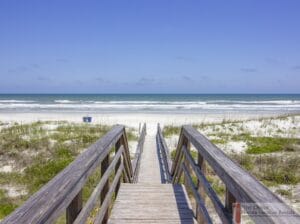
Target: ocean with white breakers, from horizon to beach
(151,103)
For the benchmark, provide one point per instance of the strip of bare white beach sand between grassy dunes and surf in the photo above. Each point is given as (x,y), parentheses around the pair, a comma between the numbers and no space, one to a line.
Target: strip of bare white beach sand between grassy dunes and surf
(128,119)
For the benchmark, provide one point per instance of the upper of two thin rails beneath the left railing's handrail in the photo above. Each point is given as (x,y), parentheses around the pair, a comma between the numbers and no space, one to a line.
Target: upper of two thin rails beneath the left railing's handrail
(90,204)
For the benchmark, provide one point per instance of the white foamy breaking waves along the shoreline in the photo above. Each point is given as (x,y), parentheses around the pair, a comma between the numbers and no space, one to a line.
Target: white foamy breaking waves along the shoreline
(176,106)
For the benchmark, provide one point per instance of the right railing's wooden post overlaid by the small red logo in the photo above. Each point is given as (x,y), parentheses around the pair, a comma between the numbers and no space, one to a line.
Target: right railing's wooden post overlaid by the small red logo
(233,207)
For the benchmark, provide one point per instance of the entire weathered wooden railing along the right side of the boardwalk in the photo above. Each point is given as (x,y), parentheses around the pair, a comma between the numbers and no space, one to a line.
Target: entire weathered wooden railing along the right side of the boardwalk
(242,189)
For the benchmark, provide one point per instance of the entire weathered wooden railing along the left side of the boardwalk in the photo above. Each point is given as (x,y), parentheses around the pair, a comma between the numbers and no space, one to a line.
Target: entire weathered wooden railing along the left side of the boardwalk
(64,192)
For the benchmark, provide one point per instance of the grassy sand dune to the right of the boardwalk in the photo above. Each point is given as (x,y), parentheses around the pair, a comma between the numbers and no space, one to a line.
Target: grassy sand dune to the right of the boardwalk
(268,148)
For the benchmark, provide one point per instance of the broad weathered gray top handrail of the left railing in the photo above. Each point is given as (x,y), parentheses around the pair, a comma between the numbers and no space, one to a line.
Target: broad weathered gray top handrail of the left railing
(53,199)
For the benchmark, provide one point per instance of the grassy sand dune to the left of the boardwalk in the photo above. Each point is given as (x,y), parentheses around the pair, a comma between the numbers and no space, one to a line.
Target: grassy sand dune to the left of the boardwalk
(37,152)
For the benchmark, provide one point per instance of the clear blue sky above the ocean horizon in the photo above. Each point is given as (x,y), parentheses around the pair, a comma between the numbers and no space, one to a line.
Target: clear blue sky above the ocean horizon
(150,46)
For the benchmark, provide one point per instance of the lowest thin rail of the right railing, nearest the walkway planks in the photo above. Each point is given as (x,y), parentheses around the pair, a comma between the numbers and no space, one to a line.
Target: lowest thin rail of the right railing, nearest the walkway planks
(201,206)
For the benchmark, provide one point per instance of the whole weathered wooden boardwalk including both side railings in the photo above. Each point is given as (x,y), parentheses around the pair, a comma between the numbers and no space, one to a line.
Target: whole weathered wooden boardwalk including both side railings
(147,187)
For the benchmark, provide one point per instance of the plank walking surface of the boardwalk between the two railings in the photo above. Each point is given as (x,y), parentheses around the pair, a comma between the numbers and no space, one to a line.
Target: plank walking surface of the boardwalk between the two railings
(151,201)
